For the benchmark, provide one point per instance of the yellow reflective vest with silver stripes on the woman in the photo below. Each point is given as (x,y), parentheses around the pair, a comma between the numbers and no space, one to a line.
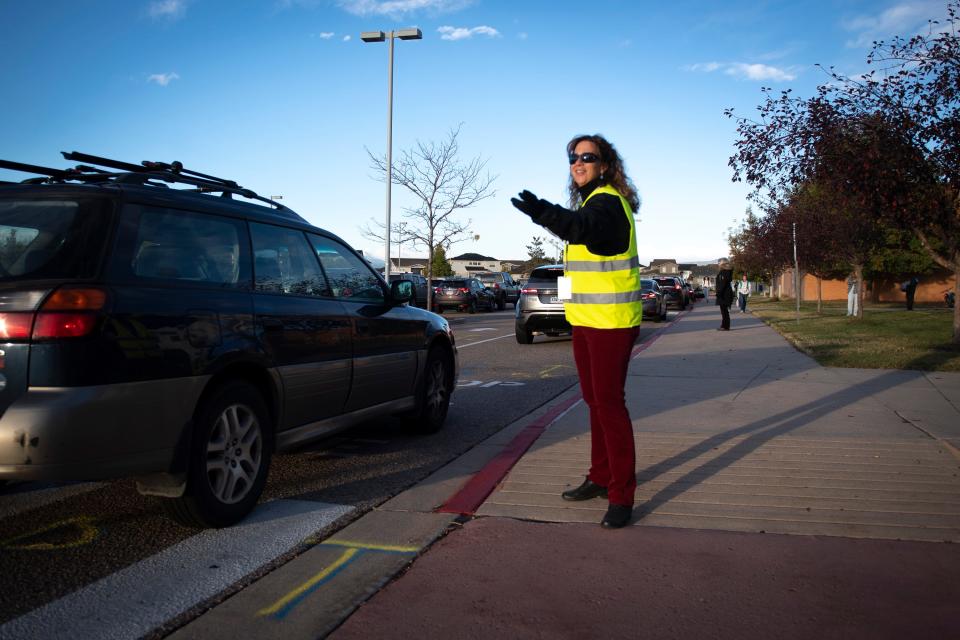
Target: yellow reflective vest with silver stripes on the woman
(606,289)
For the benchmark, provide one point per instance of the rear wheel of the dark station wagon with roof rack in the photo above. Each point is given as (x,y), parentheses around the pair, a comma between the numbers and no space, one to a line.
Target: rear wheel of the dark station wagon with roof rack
(229,459)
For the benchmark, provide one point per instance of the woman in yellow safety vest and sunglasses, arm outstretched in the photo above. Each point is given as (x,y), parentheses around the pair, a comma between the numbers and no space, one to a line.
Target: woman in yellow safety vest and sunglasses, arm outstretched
(604,307)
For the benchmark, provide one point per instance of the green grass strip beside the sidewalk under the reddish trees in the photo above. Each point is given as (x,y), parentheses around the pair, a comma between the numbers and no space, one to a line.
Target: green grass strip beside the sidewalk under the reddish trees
(888,336)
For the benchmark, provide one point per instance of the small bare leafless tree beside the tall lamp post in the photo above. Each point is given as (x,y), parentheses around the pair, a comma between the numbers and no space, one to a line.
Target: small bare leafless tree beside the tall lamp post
(442,185)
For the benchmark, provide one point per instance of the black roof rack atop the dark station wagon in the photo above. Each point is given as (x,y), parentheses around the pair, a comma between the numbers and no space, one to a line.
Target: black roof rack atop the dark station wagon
(100,170)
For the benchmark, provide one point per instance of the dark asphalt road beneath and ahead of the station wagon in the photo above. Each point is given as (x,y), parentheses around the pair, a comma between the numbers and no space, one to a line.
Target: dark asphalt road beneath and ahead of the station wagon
(57,539)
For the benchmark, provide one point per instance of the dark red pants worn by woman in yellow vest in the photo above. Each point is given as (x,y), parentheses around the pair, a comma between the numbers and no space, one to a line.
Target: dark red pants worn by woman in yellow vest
(602,357)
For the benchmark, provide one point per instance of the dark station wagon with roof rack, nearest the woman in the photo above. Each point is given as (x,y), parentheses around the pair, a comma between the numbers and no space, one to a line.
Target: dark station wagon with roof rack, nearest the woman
(182,336)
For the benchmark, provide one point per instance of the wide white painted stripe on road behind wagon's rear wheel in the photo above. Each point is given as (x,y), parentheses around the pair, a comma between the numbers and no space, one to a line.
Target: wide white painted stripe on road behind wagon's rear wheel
(140,598)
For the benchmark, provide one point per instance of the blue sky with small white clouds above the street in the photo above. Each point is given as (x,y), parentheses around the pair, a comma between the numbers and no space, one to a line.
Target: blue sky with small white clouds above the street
(283,97)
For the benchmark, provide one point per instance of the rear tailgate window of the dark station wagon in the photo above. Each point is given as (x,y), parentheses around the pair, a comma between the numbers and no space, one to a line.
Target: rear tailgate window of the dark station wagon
(52,239)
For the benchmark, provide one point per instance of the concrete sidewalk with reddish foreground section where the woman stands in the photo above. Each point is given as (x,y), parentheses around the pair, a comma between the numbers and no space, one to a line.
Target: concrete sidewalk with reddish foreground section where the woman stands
(777,498)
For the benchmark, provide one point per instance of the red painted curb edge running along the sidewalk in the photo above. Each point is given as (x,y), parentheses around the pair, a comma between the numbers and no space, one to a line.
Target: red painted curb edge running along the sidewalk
(471,495)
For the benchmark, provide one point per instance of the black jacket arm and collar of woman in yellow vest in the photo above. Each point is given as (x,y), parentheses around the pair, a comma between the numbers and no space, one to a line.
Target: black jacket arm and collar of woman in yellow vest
(601,224)
